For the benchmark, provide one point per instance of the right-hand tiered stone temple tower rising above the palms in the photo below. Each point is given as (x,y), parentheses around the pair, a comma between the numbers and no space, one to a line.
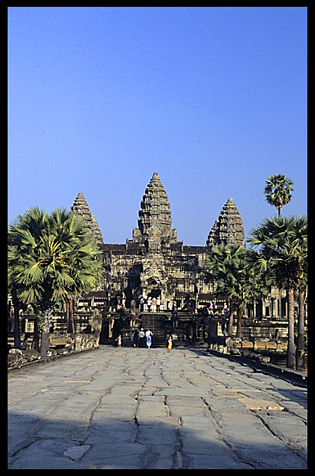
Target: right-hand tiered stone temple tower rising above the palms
(228,228)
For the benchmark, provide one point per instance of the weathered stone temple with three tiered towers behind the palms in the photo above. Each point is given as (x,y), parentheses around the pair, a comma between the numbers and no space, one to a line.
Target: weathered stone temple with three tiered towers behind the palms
(155,281)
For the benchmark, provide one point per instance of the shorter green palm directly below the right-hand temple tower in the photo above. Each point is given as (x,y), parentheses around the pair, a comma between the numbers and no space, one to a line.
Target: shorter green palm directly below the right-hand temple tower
(231,268)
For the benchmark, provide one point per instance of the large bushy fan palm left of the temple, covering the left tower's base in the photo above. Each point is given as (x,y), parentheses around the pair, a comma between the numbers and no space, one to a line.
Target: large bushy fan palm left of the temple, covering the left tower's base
(51,257)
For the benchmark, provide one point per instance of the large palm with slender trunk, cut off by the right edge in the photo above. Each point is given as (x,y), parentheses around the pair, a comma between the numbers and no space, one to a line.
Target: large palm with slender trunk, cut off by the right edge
(282,243)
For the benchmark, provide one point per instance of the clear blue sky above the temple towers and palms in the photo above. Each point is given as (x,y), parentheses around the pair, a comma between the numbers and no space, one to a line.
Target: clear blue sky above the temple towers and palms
(212,98)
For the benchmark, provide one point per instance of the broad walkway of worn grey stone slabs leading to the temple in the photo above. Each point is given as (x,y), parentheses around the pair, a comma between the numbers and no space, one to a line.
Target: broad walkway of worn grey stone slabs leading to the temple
(140,408)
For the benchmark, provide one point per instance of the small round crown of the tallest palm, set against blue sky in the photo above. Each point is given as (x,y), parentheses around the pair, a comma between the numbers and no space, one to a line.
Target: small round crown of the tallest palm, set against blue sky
(278,191)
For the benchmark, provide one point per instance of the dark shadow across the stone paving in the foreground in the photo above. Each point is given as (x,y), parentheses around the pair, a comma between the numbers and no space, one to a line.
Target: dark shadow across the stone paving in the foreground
(113,443)
